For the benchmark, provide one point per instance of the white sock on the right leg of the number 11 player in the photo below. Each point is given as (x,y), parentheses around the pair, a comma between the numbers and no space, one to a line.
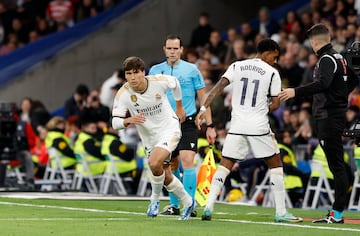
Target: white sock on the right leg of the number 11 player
(278,188)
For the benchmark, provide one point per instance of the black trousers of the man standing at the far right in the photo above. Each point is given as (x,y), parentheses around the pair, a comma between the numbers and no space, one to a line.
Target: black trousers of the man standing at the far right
(329,132)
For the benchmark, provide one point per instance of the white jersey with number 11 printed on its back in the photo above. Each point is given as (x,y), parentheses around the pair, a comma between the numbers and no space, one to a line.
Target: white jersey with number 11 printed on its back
(254,81)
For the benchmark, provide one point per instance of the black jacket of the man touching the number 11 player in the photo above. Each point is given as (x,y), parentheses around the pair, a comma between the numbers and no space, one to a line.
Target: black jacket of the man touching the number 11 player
(330,87)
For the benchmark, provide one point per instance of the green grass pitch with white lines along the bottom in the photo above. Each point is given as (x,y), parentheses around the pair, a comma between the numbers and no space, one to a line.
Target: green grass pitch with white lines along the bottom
(123,217)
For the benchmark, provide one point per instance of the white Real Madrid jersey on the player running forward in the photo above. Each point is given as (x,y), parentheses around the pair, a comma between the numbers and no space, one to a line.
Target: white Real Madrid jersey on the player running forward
(153,103)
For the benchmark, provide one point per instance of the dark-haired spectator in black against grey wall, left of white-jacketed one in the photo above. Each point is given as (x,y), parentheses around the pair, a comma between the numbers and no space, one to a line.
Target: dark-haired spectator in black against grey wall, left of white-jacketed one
(77,101)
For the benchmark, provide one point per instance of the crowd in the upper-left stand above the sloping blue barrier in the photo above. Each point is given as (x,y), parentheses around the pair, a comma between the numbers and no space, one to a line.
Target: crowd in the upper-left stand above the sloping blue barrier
(25,21)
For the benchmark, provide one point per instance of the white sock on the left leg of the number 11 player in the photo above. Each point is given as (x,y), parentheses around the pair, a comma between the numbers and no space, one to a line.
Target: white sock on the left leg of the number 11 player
(217,183)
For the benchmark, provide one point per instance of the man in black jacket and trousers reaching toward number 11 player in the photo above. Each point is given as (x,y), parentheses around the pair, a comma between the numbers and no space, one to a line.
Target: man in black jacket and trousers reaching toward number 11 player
(332,82)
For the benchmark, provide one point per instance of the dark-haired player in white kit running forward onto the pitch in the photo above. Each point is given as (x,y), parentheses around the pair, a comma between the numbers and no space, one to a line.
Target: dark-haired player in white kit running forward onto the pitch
(144,97)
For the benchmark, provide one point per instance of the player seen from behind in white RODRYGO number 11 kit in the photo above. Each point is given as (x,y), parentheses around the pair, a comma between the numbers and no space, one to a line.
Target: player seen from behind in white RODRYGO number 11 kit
(255,81)
